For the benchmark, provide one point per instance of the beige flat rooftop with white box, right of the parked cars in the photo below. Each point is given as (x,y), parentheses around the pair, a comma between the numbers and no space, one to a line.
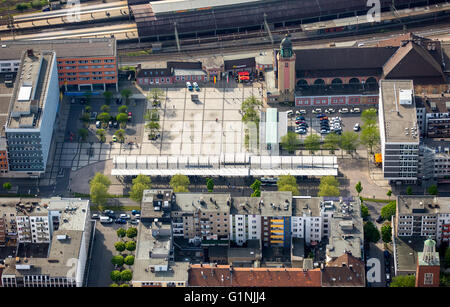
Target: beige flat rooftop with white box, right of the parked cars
(399,111)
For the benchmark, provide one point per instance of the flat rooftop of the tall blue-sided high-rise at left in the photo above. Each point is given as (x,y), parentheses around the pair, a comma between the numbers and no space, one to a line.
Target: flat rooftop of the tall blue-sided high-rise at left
(29,96)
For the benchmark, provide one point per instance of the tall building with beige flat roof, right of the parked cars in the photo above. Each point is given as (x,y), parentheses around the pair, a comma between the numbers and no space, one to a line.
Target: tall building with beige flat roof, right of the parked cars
(399,134)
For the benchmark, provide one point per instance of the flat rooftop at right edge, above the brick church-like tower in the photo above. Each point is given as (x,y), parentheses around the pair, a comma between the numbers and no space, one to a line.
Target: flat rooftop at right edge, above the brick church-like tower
(423,204)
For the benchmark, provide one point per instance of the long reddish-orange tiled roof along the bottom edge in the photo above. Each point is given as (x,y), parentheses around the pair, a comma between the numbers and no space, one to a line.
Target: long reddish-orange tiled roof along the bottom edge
(226,276)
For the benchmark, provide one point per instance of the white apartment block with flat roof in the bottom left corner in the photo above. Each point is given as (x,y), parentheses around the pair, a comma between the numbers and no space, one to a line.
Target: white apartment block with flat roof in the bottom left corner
(64,263)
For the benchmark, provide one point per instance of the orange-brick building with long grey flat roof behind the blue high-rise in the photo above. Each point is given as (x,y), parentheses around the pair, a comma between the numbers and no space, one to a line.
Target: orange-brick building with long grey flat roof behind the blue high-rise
(82,63)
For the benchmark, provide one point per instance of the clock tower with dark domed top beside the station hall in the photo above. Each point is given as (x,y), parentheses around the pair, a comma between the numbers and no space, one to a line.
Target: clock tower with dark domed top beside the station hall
(286,71)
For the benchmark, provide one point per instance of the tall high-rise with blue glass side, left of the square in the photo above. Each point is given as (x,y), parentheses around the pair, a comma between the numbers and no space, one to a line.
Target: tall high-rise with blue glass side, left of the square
(32,113)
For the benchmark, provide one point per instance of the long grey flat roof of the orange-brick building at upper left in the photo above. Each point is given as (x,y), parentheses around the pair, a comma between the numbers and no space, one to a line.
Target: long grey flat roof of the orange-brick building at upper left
(64,48)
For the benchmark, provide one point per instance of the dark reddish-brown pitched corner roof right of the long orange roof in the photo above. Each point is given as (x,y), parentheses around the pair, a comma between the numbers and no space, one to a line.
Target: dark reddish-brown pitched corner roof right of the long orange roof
(344,271)
